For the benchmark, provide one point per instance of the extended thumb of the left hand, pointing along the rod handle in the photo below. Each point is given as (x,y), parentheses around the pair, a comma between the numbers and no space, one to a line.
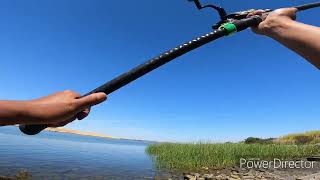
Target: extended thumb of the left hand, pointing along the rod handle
(91,100)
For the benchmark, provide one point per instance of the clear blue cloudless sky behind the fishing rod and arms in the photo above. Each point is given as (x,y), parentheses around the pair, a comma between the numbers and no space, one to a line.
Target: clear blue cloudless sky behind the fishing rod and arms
(240,86)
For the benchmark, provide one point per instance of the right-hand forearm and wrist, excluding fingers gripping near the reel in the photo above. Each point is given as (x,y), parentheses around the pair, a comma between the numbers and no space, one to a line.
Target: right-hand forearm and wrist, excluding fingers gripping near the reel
(301,38)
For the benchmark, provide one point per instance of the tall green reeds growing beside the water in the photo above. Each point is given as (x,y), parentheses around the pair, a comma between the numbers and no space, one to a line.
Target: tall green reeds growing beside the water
(197,156)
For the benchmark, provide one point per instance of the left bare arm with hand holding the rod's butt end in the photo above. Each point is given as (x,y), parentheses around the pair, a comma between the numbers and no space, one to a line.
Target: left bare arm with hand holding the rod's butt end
(54,110)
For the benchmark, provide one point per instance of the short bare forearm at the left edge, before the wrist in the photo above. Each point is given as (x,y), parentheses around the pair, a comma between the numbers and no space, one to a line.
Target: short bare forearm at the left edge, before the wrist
(14,112)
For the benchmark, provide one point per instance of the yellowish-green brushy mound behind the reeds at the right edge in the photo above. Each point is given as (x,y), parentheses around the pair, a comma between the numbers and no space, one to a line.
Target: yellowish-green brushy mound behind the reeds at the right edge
(311,137)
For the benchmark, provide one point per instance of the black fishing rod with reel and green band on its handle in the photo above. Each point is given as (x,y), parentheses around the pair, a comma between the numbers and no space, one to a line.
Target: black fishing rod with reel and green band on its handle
(228,24)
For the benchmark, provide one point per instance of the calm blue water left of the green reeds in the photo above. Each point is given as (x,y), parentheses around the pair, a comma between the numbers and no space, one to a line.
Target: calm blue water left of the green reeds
(63,156)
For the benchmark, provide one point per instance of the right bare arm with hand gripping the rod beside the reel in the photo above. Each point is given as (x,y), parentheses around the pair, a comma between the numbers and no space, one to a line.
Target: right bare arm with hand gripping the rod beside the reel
(301,38)
